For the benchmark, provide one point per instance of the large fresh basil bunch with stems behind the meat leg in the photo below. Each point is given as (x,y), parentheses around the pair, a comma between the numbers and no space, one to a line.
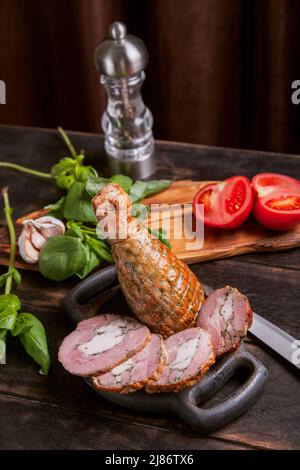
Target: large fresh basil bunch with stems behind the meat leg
(62,257)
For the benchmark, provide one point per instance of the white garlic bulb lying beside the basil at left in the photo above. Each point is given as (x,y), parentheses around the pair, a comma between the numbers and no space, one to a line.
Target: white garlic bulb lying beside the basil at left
(35,234)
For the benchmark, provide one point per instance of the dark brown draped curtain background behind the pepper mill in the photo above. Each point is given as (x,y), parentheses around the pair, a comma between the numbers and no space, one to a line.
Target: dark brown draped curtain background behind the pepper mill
(220,70)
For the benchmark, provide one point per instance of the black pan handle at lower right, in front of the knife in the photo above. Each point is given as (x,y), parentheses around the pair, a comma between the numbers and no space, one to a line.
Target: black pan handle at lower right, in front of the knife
(210,419)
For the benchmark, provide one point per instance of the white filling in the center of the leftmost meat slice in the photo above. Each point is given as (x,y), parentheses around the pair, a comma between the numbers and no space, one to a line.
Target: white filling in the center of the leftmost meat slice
(106,337)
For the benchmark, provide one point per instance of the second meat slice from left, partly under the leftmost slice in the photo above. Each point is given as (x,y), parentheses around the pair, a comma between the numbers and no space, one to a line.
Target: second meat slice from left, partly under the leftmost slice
(134,373)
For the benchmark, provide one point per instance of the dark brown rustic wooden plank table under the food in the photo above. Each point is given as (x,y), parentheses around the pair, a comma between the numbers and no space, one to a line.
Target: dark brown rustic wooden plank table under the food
(60,411)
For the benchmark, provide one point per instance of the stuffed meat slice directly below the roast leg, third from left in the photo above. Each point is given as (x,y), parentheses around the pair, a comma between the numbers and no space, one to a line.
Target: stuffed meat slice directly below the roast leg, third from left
(189,355)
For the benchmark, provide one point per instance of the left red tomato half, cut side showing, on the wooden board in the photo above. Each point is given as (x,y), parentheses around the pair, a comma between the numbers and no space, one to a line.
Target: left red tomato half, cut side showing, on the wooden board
(226,205)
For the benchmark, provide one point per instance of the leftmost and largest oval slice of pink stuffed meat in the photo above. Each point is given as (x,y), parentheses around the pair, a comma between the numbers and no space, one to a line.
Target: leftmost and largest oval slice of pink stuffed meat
(101,343)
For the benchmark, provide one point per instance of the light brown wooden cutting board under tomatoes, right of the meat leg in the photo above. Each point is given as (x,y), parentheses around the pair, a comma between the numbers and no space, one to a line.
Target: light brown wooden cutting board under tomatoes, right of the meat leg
(218,244)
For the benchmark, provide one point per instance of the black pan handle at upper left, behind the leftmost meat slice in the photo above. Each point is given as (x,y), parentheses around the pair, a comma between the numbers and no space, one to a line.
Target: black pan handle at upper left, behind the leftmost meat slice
(80,294)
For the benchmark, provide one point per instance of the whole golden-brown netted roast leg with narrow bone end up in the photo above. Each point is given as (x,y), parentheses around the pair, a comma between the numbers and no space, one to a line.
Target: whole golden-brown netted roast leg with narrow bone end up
(160,289)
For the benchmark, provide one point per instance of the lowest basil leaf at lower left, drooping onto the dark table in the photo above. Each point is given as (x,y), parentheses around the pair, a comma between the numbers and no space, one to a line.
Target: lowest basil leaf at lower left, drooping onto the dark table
(35,342)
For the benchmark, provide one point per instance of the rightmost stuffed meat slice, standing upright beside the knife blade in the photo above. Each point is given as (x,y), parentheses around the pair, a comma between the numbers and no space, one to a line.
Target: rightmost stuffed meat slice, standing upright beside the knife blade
(227,315)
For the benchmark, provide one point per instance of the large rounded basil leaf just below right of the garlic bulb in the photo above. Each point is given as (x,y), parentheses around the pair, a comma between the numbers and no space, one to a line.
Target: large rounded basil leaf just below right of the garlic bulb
(61,257)
